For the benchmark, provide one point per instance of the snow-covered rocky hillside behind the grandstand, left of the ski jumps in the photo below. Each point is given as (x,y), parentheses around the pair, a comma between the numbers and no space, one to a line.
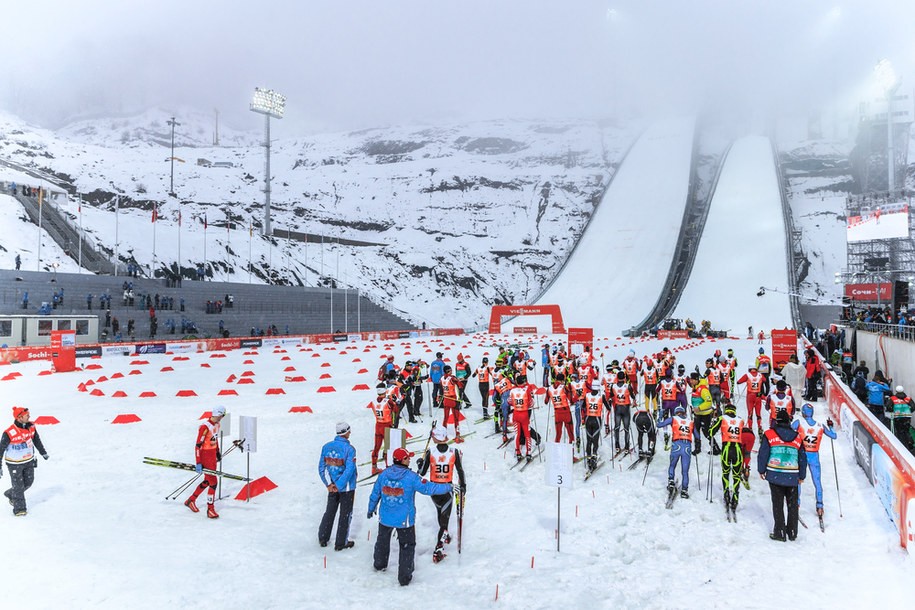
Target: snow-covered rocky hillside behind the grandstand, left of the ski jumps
(466,216)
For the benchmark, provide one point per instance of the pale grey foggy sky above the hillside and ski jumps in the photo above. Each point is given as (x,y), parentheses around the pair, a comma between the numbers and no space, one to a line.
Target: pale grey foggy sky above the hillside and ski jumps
(351,64)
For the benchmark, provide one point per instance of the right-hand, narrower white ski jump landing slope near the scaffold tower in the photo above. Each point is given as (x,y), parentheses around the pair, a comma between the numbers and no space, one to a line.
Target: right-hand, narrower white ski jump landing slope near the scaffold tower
(742,248)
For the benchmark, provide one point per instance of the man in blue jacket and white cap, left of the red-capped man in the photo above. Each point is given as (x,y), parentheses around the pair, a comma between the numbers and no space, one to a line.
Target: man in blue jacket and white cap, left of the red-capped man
(337,469)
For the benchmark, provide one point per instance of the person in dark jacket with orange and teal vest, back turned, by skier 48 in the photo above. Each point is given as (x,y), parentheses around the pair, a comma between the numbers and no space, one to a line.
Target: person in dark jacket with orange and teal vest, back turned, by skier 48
(782,462)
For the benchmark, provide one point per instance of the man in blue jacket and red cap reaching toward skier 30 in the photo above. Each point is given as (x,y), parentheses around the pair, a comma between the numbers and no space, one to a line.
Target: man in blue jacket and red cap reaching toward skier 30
(395,489)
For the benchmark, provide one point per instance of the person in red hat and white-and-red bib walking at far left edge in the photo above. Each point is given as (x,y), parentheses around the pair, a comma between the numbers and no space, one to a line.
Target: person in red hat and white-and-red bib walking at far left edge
(17,446)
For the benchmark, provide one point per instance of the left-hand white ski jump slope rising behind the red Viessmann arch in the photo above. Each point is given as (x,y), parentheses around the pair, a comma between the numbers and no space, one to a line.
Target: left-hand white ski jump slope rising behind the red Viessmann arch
(614,275)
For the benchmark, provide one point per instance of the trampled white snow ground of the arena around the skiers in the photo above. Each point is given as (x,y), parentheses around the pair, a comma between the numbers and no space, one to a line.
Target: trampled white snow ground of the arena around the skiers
(100,533)
